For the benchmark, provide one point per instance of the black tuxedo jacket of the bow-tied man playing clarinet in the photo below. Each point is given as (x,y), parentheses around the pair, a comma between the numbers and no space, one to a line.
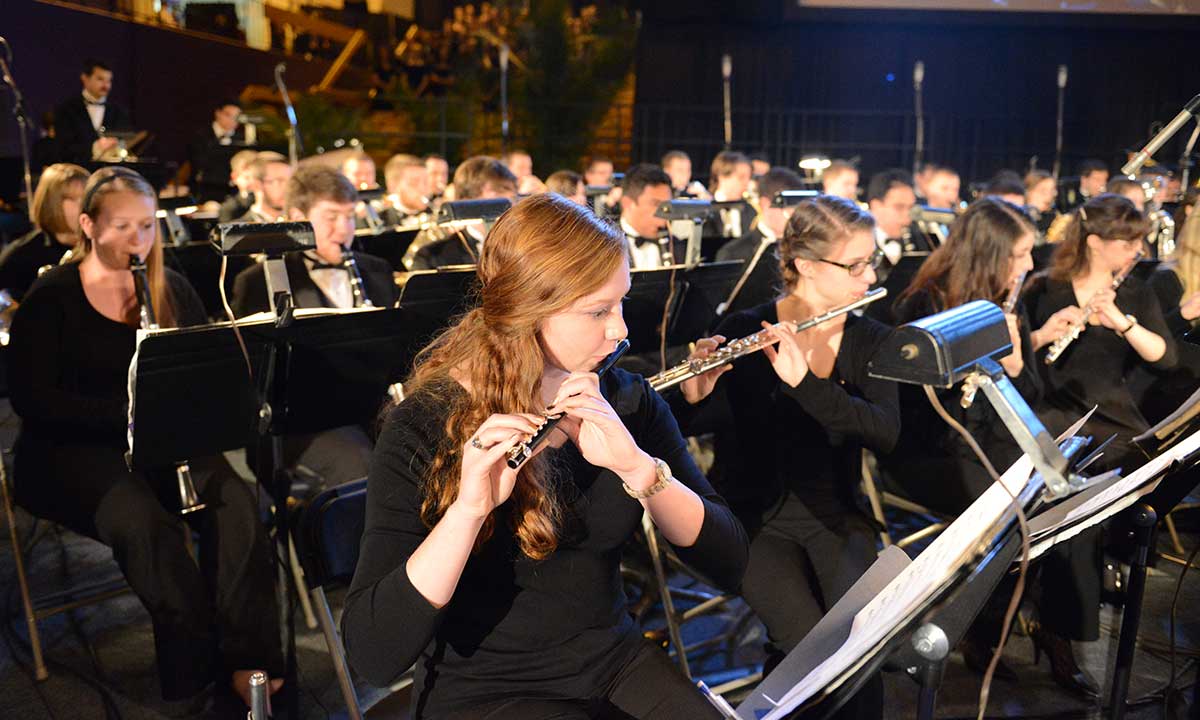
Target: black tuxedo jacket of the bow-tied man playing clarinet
(250,286)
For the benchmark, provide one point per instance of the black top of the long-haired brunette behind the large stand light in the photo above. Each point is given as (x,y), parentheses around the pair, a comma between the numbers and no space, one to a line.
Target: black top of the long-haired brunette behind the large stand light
(926,435)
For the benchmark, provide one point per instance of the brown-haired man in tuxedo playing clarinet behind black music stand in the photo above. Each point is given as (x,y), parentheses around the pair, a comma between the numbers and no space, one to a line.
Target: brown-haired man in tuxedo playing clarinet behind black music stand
(319,279)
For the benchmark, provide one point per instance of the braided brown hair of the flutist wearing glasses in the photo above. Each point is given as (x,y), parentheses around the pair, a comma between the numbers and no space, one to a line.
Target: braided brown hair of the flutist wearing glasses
(815,227)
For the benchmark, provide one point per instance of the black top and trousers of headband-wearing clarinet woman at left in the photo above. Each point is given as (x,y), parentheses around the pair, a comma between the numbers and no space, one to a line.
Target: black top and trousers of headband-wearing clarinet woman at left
(68,370)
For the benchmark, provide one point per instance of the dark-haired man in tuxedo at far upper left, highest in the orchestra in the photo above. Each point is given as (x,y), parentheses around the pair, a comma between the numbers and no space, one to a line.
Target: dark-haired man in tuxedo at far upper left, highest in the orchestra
(81,121)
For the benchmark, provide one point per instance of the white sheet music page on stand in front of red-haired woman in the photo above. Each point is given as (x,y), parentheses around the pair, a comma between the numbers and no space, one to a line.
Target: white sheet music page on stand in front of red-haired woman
(915,586)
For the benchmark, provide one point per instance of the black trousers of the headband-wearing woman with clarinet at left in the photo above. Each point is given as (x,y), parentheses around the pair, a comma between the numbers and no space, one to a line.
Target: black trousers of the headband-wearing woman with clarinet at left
(209,620)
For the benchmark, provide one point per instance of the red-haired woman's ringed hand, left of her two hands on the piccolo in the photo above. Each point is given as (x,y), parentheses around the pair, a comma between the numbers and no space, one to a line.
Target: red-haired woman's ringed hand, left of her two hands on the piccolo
(487,481)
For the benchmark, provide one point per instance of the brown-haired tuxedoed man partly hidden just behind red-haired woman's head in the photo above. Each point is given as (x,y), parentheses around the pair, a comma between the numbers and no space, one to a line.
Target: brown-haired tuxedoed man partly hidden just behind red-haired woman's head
(478,178)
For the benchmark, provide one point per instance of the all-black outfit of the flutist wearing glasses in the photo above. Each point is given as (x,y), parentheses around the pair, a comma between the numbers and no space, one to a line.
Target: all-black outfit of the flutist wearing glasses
(790,463)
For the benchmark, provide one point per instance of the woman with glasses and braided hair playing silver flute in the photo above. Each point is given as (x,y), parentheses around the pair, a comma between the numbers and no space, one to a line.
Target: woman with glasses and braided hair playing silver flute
(791,424)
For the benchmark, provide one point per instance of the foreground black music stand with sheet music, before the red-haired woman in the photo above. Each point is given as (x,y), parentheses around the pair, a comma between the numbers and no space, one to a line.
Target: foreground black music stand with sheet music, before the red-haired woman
(915,639)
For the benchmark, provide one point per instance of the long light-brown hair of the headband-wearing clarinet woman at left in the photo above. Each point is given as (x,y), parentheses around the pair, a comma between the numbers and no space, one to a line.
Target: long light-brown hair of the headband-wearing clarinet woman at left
(101,188)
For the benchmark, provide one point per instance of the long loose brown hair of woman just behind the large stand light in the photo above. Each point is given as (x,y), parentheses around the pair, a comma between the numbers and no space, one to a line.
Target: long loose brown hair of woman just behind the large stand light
(976,260)
